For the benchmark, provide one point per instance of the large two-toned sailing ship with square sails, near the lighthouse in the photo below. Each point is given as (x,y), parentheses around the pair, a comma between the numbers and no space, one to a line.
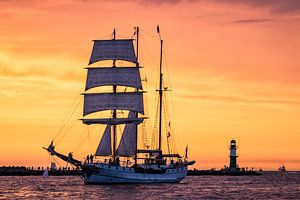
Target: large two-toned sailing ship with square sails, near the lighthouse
(149,165)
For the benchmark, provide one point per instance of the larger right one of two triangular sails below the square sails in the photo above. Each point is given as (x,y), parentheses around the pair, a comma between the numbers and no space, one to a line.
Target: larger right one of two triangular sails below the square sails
(127,145)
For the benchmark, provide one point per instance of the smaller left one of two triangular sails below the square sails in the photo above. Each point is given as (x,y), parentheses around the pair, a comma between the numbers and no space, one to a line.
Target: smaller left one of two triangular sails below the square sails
(104,148)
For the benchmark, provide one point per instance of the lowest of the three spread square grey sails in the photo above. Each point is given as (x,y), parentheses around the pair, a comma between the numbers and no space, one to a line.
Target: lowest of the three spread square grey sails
(94,102)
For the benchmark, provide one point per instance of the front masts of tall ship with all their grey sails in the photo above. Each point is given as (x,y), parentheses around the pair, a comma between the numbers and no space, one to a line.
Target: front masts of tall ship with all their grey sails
(115,49)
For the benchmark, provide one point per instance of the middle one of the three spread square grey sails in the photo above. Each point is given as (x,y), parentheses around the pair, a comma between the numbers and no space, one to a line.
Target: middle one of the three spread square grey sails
(122,76)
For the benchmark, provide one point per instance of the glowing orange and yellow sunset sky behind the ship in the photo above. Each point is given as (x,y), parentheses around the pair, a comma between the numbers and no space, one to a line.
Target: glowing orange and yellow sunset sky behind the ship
(233,68)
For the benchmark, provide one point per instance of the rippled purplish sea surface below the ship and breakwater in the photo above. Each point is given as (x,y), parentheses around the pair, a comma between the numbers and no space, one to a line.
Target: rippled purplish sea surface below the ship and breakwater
(271,185)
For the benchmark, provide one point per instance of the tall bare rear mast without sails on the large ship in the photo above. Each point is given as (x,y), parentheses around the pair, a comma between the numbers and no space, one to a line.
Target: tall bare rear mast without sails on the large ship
(160,91)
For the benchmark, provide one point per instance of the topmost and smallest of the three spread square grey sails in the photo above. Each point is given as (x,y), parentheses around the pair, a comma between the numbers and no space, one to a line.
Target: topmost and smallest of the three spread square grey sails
(113,50)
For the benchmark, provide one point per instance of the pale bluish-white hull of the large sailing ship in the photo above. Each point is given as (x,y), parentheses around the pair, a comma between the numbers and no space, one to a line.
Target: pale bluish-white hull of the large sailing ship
(105,174)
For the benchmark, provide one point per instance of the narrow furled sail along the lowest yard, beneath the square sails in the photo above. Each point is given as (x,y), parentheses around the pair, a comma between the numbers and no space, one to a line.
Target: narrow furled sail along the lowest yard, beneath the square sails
(113,121)
